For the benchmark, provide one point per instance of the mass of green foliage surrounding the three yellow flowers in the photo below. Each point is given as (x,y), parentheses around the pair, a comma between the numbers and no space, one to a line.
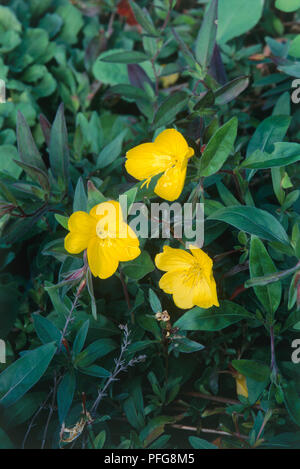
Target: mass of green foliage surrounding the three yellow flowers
(83,86)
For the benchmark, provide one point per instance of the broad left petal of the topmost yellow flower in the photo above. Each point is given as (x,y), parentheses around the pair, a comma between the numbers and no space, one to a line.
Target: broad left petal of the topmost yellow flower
(146,160)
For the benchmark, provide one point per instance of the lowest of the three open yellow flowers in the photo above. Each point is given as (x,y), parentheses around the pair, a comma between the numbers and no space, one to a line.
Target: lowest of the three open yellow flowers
(189,277)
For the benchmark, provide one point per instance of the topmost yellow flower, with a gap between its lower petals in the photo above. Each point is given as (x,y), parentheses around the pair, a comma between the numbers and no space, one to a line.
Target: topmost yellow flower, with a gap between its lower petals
(168,154)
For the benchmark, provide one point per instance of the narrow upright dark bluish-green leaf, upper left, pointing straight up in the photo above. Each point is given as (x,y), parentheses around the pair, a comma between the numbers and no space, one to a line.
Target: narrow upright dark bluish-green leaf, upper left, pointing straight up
(59,149)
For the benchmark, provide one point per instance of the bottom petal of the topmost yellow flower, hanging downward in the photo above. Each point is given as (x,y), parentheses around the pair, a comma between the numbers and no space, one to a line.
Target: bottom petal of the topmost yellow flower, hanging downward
(170,185)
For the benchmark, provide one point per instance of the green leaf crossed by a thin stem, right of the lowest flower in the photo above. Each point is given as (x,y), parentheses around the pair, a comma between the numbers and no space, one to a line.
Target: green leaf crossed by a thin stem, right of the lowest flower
(261,264)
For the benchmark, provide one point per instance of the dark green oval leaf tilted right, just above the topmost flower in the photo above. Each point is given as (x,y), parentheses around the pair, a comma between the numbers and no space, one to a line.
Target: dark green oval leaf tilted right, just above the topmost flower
(168,110)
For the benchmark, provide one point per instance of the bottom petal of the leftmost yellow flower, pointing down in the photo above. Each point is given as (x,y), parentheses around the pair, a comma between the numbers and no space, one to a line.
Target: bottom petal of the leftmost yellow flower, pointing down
(101,262)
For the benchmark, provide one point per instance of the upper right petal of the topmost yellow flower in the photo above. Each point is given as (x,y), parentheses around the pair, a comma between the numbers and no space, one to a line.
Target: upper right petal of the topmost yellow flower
(171,142)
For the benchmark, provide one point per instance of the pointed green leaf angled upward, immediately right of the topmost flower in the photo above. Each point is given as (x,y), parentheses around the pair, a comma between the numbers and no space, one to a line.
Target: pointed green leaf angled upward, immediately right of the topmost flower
(218,148)
